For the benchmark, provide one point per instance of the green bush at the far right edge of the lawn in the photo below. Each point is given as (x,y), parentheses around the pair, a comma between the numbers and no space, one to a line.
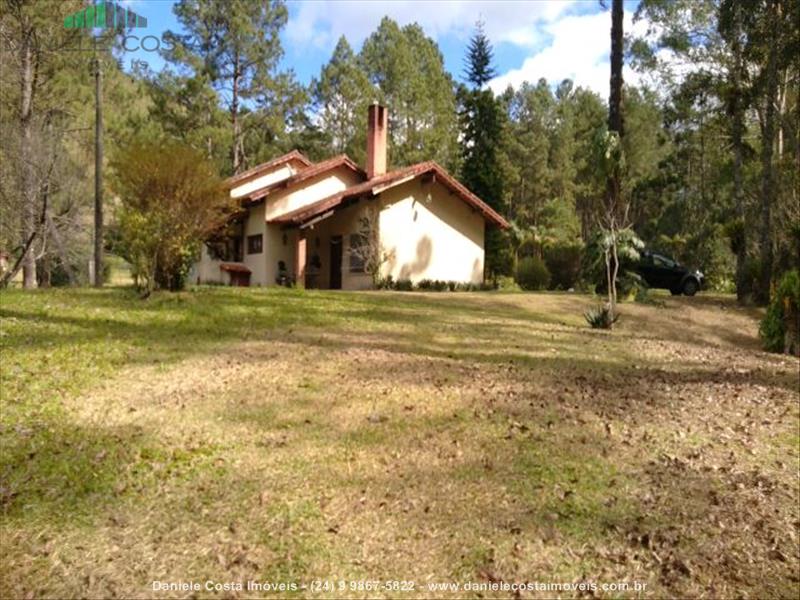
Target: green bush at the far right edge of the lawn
(780,327)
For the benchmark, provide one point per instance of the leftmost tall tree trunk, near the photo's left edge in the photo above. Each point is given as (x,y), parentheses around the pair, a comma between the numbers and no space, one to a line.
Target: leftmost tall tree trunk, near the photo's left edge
(28,66)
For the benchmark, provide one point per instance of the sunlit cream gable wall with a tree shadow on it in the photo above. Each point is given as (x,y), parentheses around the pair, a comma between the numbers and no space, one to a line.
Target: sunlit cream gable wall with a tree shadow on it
(430,233)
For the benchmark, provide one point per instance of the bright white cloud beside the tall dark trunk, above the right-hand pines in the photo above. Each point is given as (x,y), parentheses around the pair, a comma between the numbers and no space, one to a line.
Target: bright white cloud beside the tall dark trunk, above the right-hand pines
(578,50)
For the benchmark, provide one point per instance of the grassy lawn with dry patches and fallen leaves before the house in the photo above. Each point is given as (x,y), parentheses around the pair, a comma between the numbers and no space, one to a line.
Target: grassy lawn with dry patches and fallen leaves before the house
(251,434)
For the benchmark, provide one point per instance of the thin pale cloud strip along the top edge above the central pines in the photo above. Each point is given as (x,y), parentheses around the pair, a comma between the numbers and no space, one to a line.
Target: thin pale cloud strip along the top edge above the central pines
(513,21)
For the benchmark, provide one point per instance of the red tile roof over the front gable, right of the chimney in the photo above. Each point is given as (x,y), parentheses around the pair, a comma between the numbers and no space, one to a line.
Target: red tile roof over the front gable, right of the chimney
(388,180)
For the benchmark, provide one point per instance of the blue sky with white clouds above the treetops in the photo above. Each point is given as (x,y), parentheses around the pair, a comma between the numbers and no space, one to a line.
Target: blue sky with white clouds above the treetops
(532,38)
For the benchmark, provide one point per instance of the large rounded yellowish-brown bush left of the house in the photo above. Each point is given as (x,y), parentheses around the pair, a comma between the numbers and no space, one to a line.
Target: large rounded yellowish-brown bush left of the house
(172,199)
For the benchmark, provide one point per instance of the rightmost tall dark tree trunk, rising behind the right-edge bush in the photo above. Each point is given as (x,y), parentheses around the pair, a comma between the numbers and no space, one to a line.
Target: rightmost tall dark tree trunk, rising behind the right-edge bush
(767,166)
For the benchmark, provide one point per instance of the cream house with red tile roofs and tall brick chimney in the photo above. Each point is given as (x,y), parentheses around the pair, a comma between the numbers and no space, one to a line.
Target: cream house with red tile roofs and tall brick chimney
(334,225)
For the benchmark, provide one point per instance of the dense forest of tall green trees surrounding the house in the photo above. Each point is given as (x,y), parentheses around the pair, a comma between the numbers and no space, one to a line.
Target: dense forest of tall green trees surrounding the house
(711,147)
